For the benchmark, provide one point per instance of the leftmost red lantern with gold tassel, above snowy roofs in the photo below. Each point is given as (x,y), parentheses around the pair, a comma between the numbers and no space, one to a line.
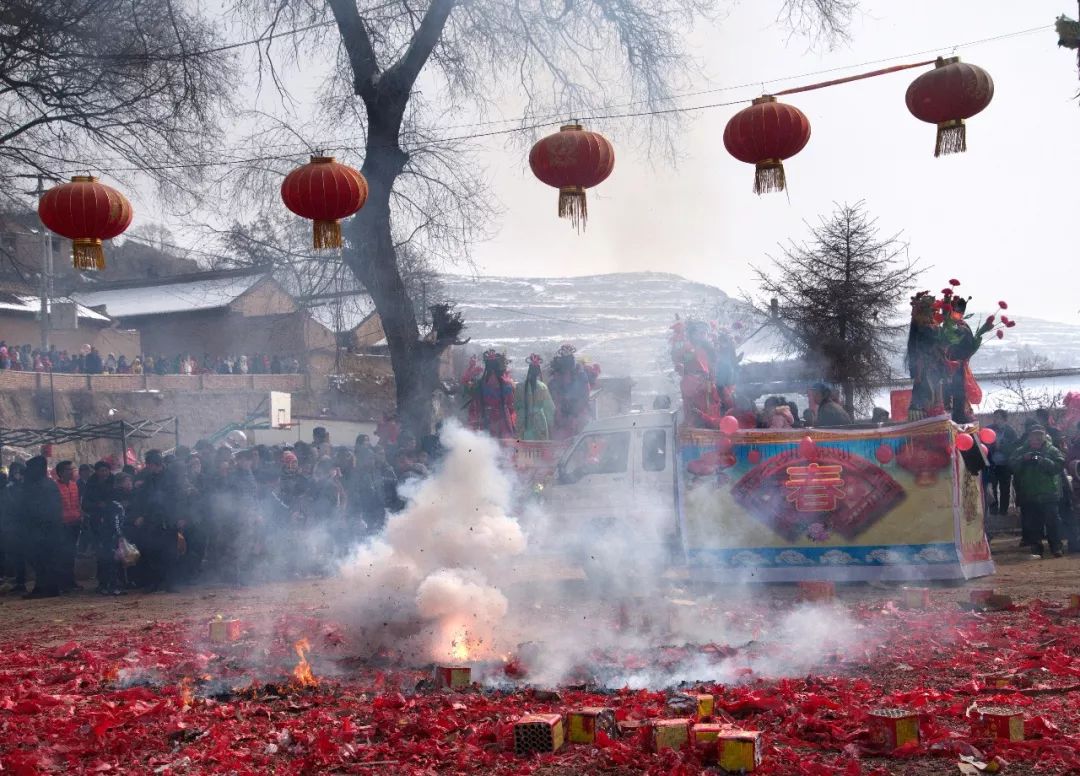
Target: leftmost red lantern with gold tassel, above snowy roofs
(86,212)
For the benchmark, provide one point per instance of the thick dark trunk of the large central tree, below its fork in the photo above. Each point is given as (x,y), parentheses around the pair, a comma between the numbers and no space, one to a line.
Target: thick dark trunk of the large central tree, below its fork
(372,257)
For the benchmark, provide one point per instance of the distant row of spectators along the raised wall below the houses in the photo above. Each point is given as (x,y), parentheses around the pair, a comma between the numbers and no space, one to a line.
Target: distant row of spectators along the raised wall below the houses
(90,361)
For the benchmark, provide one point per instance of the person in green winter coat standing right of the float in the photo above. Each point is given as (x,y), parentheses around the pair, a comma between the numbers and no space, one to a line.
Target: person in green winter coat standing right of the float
(1037,467)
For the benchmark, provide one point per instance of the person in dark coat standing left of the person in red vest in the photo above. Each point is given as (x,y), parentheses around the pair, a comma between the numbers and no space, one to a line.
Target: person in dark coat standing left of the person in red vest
(42,513)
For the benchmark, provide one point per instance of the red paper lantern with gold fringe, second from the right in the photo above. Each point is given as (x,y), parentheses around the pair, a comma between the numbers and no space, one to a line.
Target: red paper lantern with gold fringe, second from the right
(765,135)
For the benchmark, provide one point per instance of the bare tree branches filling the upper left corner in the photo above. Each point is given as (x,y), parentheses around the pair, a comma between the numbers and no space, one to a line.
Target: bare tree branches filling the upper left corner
(89,86)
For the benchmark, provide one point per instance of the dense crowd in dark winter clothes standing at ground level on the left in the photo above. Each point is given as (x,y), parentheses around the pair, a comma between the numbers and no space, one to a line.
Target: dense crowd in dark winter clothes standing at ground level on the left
(210,513)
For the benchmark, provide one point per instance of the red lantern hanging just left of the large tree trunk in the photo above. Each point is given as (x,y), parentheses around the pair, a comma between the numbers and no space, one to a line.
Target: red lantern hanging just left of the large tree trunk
(326,192)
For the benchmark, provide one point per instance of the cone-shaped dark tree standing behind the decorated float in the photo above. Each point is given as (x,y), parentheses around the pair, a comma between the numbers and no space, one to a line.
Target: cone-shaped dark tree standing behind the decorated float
(841,299)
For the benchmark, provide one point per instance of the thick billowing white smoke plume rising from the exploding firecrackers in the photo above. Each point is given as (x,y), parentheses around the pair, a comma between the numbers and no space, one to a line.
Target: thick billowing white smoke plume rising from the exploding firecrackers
(427,587)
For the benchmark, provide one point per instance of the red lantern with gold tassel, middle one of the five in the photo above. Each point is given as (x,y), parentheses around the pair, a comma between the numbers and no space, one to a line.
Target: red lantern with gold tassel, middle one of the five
(573,160)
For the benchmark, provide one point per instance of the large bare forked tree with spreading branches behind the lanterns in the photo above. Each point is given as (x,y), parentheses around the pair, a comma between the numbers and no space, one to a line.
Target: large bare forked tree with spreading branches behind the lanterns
(563,59)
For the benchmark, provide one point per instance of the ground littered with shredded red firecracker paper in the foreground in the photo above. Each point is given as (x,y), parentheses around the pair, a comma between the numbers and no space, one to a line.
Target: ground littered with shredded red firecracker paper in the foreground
(97,687)
